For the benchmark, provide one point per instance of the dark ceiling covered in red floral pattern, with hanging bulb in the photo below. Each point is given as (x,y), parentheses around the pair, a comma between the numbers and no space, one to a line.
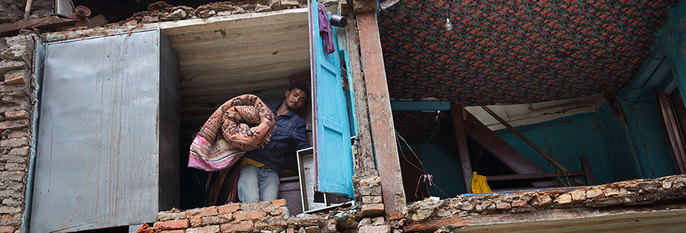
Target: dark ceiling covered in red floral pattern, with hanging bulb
(516,51)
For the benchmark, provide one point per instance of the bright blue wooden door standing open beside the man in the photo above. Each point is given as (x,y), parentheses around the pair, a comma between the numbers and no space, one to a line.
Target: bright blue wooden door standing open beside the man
(333,151)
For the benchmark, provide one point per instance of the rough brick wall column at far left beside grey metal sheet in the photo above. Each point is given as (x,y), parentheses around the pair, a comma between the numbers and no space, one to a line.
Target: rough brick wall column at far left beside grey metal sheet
(15,126)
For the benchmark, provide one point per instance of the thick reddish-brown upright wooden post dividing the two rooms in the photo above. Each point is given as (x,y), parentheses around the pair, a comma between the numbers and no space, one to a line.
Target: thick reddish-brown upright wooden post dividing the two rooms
(380,115)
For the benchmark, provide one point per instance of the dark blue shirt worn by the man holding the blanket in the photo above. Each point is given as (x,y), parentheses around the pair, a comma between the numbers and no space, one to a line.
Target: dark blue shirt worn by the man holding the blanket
(288,137)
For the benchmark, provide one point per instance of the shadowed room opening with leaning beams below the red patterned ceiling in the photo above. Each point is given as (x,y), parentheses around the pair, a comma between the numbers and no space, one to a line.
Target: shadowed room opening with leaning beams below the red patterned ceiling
(584,141)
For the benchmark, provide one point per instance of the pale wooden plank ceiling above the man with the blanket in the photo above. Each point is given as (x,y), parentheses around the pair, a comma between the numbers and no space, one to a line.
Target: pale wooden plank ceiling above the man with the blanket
(248,53)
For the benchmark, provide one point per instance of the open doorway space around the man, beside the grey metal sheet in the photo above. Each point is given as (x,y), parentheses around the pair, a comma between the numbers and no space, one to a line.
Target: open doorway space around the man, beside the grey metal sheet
(218,61)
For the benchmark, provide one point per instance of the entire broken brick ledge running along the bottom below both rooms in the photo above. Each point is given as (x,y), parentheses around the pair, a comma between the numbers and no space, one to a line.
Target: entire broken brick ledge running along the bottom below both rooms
(260,217)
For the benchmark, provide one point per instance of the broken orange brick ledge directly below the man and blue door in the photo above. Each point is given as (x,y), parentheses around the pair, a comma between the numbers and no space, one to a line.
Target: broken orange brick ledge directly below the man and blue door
(265,217)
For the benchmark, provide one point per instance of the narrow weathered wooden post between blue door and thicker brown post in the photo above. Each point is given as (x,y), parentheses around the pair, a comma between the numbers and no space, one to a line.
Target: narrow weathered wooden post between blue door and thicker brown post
(364,158)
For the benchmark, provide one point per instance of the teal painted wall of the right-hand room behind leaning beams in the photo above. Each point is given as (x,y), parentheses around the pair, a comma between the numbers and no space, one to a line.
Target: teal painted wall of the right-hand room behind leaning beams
(615,151)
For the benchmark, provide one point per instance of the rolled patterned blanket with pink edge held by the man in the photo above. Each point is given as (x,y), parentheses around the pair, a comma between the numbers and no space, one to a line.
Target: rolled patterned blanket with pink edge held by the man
(242,124)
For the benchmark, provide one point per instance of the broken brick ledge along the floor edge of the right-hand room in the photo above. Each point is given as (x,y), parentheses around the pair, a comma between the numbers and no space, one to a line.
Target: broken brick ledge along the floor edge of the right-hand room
(624,193)
